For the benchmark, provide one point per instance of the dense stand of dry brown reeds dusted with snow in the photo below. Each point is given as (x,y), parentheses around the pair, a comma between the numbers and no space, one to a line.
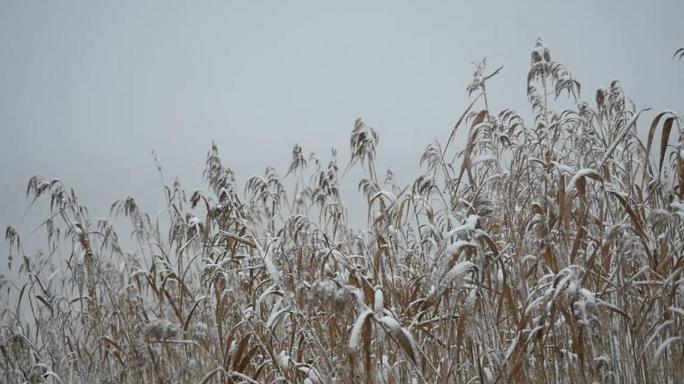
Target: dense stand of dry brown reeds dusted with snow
(543,249)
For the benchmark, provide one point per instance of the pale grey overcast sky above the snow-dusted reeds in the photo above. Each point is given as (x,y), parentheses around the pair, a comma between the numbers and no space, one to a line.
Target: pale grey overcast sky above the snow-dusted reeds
(89,88)
